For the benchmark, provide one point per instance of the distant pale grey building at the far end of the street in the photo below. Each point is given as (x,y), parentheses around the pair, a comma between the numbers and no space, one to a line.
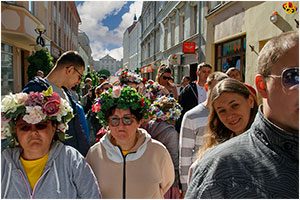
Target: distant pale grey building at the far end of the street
(108,63)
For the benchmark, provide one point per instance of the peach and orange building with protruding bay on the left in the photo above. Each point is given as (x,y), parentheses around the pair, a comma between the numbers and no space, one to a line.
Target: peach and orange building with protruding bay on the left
(19,19)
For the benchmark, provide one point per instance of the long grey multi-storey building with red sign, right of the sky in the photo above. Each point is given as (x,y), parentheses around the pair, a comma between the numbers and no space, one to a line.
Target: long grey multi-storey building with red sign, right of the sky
(165,27)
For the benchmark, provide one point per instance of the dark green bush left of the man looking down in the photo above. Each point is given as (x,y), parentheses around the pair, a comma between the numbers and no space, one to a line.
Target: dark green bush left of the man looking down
(40,60)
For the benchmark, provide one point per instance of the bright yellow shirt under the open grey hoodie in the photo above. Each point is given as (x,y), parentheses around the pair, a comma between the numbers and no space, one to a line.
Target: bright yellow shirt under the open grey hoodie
(34,168)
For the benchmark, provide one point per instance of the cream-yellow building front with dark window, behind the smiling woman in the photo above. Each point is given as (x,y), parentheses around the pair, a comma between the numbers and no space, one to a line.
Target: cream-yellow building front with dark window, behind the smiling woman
(238,30)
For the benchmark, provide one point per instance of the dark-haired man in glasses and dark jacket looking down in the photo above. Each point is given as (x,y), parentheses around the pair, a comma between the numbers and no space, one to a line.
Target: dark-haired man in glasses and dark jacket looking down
(66,74)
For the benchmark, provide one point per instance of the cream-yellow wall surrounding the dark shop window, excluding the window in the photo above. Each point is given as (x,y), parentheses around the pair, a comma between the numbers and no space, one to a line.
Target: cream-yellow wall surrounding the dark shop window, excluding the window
(250,18)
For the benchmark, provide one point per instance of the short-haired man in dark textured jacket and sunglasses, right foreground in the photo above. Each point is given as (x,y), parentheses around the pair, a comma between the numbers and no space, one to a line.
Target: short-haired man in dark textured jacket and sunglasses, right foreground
(263,162)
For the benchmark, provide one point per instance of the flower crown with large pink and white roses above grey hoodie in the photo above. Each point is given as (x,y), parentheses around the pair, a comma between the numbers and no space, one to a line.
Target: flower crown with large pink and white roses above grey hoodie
(35,108)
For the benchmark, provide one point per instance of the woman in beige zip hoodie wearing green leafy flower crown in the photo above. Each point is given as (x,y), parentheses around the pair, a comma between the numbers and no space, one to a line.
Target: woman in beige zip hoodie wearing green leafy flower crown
(126,161)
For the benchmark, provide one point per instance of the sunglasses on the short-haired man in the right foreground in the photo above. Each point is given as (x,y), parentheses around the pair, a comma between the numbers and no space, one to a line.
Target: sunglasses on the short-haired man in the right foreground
(289,78)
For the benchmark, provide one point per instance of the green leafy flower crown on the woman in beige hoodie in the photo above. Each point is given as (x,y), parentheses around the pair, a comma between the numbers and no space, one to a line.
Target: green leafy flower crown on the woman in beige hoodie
(122,97)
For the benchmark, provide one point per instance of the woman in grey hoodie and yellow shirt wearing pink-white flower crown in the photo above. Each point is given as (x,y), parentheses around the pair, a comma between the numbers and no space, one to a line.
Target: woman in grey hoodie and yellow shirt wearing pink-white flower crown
(37,164)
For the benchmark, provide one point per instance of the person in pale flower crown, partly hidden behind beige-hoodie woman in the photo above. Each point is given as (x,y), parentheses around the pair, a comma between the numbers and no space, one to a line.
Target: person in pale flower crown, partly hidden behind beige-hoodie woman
(164,111)
